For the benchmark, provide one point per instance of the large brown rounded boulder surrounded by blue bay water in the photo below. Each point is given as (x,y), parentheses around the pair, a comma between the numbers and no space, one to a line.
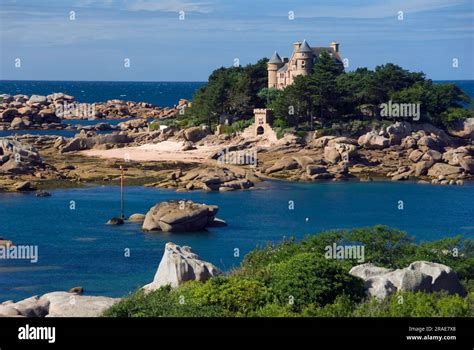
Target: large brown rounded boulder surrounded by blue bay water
(178,216)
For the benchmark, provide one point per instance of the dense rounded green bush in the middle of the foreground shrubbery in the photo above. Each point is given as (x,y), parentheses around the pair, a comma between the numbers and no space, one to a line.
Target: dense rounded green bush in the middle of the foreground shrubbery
(310,278)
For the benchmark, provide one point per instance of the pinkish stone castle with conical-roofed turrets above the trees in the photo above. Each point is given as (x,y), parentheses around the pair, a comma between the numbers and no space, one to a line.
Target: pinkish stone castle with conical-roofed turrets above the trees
(281,73)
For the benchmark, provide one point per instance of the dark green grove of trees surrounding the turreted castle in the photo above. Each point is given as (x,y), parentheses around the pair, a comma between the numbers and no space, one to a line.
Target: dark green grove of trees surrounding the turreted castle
(328,96)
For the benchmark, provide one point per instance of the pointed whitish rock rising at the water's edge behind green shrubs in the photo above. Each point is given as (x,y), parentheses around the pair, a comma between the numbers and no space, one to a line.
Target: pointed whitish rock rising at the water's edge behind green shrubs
(178,265)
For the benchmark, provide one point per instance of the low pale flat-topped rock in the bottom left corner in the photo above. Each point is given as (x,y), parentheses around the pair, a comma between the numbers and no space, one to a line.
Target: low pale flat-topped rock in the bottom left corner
(58,304)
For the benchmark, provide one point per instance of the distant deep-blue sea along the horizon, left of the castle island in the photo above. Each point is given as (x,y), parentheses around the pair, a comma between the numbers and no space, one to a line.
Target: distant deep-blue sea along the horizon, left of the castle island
(163,94)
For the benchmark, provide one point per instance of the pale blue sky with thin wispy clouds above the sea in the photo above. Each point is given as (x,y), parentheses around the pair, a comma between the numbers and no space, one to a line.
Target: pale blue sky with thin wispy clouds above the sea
(161,47)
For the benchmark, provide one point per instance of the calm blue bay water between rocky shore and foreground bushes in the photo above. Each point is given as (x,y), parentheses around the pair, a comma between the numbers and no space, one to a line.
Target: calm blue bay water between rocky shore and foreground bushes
(76,248)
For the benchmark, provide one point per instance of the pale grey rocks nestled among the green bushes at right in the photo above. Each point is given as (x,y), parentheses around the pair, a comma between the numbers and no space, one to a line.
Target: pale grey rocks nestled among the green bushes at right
(418,276)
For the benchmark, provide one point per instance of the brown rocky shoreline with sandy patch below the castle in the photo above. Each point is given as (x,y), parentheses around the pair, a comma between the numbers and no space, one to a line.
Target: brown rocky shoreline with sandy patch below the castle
(197,159)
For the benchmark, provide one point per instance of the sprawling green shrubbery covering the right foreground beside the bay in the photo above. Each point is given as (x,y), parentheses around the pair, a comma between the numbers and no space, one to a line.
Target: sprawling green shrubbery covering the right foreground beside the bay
(294,279)
